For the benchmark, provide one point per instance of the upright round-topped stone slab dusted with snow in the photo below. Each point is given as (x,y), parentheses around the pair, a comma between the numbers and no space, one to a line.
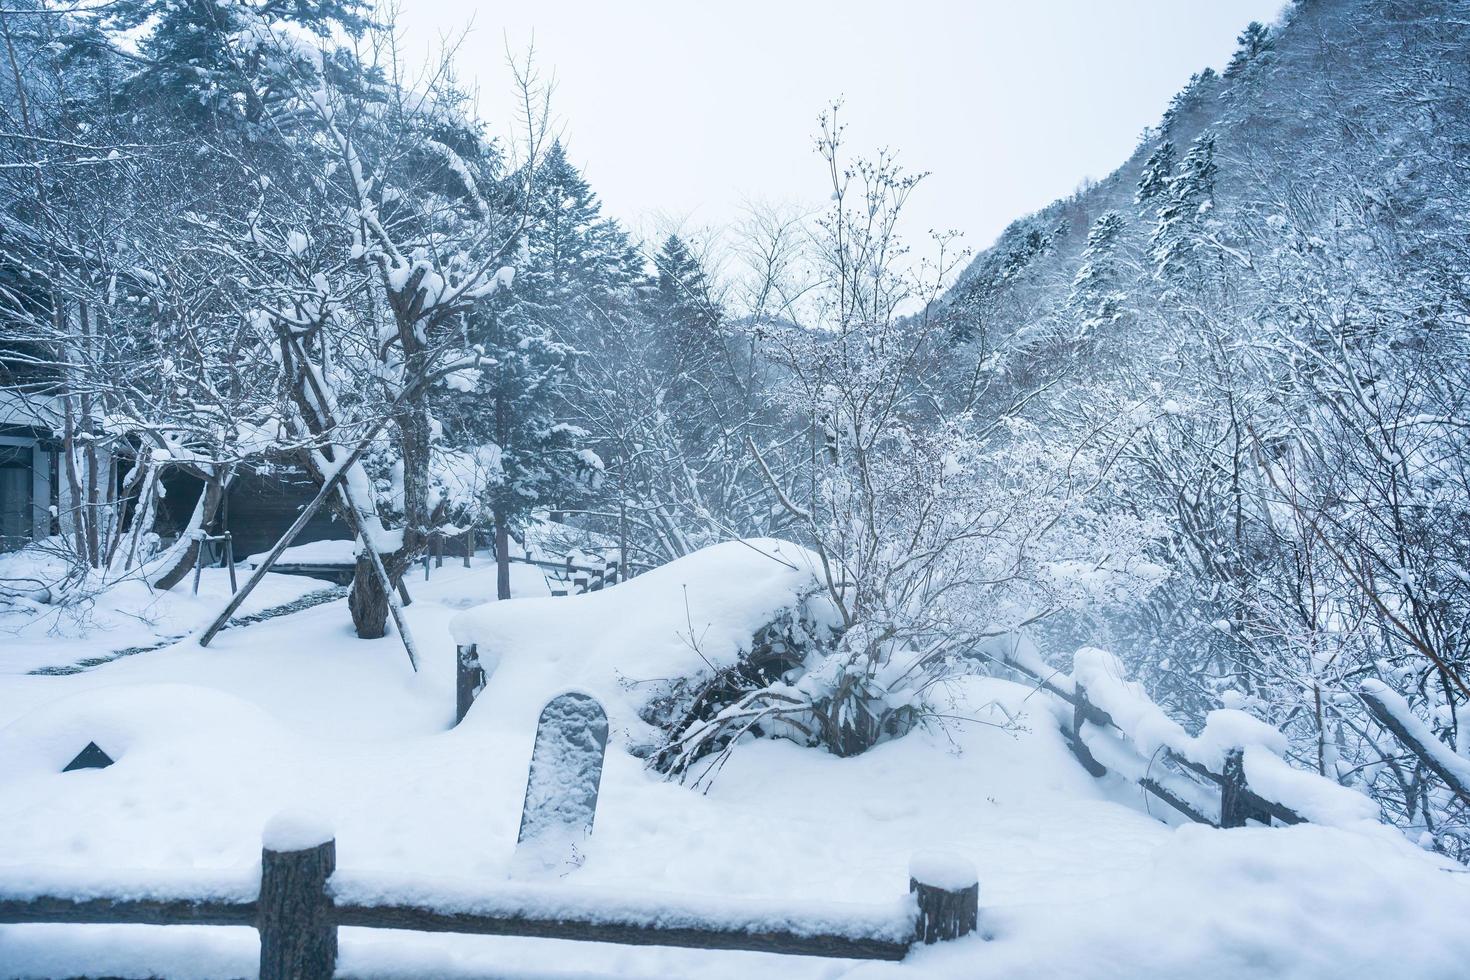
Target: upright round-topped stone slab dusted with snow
(567,774)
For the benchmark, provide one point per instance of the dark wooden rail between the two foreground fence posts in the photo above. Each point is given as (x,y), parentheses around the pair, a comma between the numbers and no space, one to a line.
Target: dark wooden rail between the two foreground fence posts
(628,934)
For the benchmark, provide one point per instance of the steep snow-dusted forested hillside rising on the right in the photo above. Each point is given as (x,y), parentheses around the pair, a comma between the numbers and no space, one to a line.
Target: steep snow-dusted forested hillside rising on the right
(1263,317)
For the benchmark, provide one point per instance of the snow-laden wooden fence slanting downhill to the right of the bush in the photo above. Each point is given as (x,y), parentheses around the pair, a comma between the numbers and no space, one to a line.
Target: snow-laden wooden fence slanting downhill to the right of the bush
(1228,775)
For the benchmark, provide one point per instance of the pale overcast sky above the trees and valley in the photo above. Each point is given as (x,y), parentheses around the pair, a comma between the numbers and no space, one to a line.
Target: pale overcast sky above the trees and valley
(686,111)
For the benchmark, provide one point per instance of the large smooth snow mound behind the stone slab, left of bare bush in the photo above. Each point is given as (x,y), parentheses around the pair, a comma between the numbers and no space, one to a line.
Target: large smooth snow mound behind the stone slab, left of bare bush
(692,616)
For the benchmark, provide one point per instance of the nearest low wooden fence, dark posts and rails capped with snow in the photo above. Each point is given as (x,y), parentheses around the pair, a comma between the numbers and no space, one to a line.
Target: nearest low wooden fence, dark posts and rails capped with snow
(299,909)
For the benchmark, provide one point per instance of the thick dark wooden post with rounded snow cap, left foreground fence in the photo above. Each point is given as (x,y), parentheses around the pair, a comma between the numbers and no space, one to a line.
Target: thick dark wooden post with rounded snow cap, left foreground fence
(298,931)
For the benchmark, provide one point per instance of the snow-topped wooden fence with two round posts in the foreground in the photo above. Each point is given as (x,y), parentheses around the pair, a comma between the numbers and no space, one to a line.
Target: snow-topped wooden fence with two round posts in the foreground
(302,900)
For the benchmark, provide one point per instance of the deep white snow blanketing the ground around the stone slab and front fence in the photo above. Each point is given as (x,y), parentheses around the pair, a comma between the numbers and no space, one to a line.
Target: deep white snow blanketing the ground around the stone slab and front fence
(296,713)
